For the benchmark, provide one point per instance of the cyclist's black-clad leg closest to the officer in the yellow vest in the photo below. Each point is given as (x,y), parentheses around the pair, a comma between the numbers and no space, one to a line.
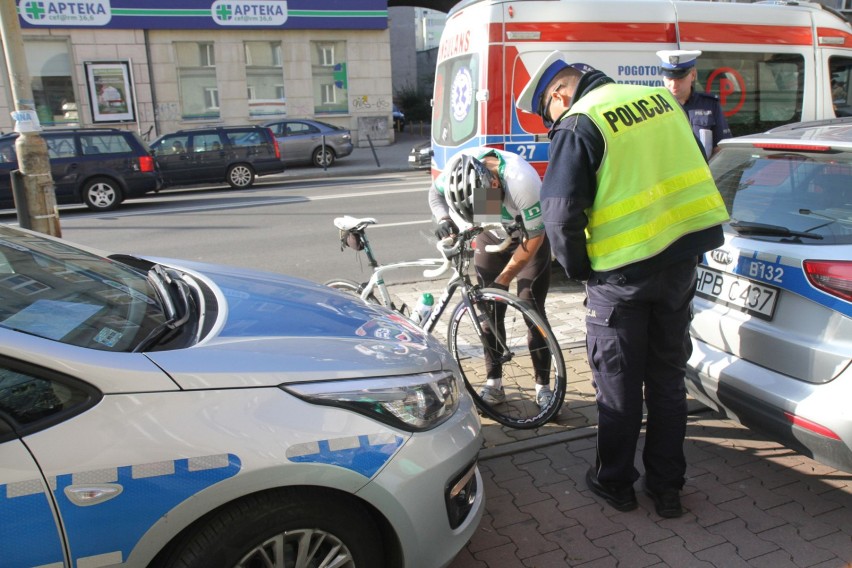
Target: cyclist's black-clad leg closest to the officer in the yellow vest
(533,286)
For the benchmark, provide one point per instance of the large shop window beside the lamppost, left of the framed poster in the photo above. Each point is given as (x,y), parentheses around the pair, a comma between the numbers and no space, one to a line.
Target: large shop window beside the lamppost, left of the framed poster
(51,80)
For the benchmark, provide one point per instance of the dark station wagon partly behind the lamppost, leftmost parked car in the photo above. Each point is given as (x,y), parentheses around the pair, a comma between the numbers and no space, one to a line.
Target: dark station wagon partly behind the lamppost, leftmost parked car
(100,167)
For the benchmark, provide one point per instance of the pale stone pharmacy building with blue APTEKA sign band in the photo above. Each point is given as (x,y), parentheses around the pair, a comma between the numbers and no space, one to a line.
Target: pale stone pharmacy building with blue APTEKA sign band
(164,65)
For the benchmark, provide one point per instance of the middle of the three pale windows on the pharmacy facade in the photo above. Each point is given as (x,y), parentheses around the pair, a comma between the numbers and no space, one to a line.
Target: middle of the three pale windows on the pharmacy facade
(264,75)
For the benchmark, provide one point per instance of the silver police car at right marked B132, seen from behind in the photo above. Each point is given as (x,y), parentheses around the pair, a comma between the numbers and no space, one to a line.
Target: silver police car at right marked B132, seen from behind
(772,333)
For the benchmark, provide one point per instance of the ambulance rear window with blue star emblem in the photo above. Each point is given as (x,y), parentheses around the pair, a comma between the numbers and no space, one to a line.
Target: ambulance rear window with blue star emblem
(454,114)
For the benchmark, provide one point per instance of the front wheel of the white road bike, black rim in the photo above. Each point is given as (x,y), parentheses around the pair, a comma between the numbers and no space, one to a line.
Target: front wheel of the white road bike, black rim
(504,337)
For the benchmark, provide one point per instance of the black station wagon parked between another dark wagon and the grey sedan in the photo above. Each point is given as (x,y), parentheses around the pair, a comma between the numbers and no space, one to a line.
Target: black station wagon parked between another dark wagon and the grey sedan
(234,154)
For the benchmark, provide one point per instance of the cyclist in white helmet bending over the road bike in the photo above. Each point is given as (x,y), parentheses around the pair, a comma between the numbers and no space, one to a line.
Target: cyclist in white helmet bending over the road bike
(477,182)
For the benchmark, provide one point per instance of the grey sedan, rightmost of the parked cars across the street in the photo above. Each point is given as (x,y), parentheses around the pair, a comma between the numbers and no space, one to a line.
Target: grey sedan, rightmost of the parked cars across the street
(304,140)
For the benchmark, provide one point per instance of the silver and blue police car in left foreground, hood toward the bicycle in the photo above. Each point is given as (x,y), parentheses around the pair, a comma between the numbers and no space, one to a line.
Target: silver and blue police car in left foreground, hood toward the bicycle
(164,413)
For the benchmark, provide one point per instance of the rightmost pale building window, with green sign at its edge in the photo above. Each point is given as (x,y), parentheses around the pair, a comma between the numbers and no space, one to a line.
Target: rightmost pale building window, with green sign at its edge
(328,68)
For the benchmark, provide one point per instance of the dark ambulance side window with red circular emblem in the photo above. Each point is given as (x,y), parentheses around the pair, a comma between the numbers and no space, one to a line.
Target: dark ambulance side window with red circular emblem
(758,91)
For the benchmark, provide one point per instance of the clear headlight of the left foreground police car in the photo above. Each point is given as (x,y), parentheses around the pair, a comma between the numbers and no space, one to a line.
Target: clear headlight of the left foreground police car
(413,403)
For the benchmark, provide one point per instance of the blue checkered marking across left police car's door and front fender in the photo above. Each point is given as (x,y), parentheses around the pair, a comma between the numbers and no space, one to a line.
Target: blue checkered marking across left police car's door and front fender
(149,491)
